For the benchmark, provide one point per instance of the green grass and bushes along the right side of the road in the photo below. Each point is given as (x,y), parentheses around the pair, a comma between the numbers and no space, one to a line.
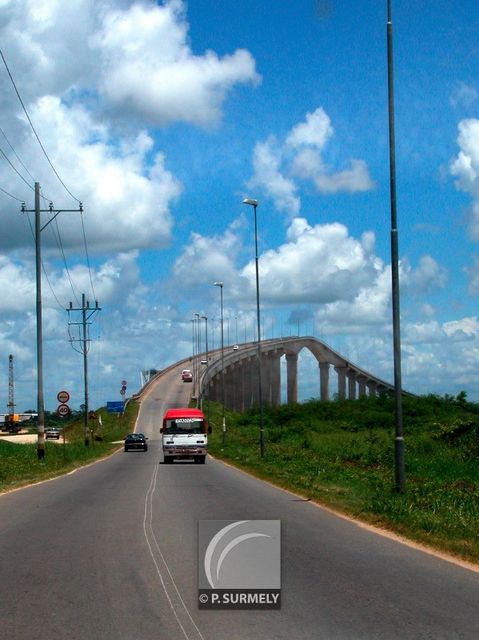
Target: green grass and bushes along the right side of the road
(341,454)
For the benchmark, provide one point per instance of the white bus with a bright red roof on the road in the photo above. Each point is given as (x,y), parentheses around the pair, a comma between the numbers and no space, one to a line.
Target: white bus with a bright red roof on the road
(184,435)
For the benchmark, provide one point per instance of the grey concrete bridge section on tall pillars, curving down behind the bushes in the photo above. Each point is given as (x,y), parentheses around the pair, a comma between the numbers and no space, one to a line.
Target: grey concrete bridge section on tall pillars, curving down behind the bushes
(241,373)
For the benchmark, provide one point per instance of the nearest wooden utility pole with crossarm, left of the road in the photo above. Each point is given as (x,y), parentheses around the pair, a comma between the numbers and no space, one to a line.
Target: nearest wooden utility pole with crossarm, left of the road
(38,271)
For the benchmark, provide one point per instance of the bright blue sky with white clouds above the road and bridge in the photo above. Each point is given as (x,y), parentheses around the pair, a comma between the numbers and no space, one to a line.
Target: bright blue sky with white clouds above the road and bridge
(161,117)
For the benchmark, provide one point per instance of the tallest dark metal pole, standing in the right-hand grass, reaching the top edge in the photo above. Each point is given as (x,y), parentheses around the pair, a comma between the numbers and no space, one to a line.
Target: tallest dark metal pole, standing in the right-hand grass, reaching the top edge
(400,482)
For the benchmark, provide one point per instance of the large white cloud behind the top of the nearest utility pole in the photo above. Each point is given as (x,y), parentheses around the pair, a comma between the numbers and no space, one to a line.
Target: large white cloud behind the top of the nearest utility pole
(127,203)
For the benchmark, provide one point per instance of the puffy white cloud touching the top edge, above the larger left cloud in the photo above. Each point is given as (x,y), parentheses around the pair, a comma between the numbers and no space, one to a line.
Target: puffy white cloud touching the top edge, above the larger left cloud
(149,71)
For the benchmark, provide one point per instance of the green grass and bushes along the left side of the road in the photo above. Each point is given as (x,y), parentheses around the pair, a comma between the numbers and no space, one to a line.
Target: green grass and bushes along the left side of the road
(19,464)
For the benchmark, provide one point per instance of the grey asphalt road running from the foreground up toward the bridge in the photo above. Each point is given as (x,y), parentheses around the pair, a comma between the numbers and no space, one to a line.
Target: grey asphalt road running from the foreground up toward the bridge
(110,552)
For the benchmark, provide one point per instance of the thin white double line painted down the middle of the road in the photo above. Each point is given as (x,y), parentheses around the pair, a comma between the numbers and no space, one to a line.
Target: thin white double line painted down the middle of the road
(169,593)
